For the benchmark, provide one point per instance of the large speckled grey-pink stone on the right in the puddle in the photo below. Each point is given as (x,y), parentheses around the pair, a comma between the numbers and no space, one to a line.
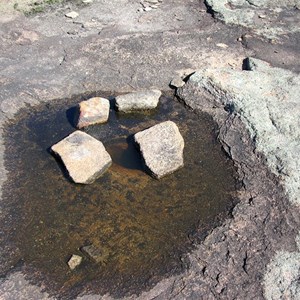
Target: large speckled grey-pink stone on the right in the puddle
(161,147)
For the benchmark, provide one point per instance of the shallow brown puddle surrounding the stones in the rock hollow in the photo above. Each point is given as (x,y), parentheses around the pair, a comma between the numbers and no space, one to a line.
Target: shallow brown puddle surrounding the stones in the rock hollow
(143,226)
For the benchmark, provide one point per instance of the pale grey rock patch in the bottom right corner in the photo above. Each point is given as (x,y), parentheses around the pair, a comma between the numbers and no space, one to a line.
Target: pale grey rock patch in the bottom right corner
(281,280)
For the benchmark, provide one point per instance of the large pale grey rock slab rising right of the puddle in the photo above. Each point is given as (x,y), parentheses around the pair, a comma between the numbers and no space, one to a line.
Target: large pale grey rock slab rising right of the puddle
(268,101)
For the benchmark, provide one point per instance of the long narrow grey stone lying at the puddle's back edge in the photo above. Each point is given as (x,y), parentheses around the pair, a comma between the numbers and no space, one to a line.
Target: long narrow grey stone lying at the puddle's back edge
(142,100)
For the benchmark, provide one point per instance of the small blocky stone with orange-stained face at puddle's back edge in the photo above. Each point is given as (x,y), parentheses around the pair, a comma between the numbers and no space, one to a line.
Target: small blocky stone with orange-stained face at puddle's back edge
(93,111)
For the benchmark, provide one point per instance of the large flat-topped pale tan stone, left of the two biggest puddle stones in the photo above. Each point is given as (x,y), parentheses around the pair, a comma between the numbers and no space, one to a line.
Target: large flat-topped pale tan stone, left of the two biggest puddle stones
(84,157)
